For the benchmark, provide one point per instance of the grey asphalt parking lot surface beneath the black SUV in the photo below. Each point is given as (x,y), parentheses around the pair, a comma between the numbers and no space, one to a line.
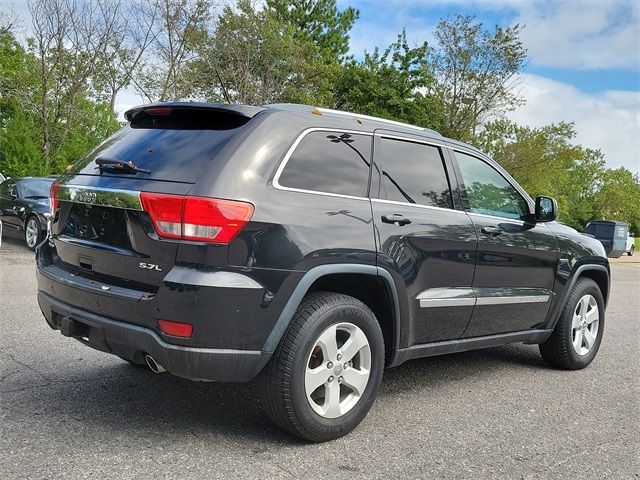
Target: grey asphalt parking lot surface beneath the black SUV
(68,411)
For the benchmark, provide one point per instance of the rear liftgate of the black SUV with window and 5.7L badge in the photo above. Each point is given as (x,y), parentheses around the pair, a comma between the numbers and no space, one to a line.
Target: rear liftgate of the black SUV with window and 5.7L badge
(102,229)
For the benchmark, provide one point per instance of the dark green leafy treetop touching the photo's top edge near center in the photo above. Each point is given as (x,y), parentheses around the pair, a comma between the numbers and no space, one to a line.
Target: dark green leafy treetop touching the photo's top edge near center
(319,21)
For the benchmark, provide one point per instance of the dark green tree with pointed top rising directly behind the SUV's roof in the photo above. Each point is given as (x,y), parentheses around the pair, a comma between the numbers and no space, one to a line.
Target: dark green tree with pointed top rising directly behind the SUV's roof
(393,84)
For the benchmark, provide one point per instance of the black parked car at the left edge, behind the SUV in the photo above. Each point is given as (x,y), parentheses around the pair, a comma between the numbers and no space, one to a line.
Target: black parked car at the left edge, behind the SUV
(23,203)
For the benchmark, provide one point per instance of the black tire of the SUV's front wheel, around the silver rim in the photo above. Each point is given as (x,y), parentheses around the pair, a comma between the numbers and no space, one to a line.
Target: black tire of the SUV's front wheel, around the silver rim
(558,349)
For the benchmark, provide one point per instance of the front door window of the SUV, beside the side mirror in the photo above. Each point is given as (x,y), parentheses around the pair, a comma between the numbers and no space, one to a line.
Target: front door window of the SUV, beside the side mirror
(488,192)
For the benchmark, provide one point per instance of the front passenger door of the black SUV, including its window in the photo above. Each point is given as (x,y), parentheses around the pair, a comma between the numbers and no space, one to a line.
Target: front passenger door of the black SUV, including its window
(516,258)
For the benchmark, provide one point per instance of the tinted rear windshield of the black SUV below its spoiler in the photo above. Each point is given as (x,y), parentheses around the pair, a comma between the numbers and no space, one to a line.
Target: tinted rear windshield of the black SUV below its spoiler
(176,147)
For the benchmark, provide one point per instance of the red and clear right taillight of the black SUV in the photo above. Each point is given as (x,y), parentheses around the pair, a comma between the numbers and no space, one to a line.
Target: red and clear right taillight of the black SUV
(196,218)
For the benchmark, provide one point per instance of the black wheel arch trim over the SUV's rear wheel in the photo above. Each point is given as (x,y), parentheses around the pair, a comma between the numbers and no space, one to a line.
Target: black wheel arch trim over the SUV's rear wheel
(372,285)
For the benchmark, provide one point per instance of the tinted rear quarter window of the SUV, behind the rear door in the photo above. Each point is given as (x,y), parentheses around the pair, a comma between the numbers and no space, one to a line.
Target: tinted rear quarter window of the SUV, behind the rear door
(330,162)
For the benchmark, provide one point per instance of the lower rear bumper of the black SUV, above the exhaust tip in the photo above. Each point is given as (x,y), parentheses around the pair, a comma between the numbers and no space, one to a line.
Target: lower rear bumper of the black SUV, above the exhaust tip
(132,342)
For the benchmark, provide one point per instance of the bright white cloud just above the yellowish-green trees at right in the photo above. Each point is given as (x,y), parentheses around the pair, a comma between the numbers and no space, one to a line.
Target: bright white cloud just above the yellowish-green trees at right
(609,120)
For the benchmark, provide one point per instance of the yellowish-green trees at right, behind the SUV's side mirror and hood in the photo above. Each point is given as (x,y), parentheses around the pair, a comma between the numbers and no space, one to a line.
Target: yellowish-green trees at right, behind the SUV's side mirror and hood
(545,161)
